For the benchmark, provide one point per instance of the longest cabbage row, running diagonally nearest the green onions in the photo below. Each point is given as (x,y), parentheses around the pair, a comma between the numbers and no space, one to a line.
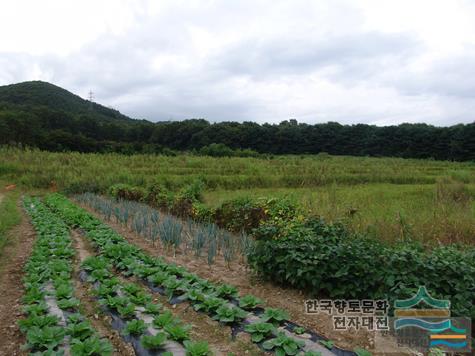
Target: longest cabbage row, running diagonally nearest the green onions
(268,327)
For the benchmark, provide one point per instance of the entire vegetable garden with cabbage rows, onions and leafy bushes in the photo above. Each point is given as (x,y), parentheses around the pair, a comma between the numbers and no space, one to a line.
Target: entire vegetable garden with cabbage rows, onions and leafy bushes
(139,292)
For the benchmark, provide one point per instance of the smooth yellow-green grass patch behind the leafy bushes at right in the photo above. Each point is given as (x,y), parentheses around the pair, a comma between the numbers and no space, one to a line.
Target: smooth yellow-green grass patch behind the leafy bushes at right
(388,211)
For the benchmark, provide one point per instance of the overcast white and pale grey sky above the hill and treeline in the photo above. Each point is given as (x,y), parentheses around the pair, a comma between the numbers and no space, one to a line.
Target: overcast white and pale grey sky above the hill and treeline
(379,62)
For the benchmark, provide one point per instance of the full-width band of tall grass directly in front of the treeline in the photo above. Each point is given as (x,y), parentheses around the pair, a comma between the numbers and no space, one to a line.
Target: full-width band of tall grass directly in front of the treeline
(75,172)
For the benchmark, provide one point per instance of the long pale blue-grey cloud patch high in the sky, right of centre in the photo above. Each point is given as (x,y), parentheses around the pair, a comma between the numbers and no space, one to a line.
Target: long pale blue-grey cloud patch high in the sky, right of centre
(351,55)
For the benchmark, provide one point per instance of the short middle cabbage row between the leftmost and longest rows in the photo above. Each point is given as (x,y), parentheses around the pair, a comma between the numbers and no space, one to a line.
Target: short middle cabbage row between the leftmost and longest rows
(145,324)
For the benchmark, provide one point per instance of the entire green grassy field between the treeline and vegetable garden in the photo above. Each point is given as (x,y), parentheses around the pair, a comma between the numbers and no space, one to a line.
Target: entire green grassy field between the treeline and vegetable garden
(388,198)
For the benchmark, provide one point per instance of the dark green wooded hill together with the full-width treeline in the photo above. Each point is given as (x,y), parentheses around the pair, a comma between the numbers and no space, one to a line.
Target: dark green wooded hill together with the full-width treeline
(43,115)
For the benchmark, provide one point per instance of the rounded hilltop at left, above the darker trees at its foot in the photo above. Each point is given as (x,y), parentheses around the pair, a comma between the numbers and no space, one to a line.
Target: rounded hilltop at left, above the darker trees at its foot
(36,94)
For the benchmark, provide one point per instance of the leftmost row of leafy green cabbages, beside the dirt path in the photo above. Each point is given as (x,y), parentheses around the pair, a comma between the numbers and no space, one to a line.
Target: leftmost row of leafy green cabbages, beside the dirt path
(52,323)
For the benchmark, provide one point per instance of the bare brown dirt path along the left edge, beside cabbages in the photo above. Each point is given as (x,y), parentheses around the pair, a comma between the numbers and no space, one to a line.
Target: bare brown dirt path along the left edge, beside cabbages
(11,288)
